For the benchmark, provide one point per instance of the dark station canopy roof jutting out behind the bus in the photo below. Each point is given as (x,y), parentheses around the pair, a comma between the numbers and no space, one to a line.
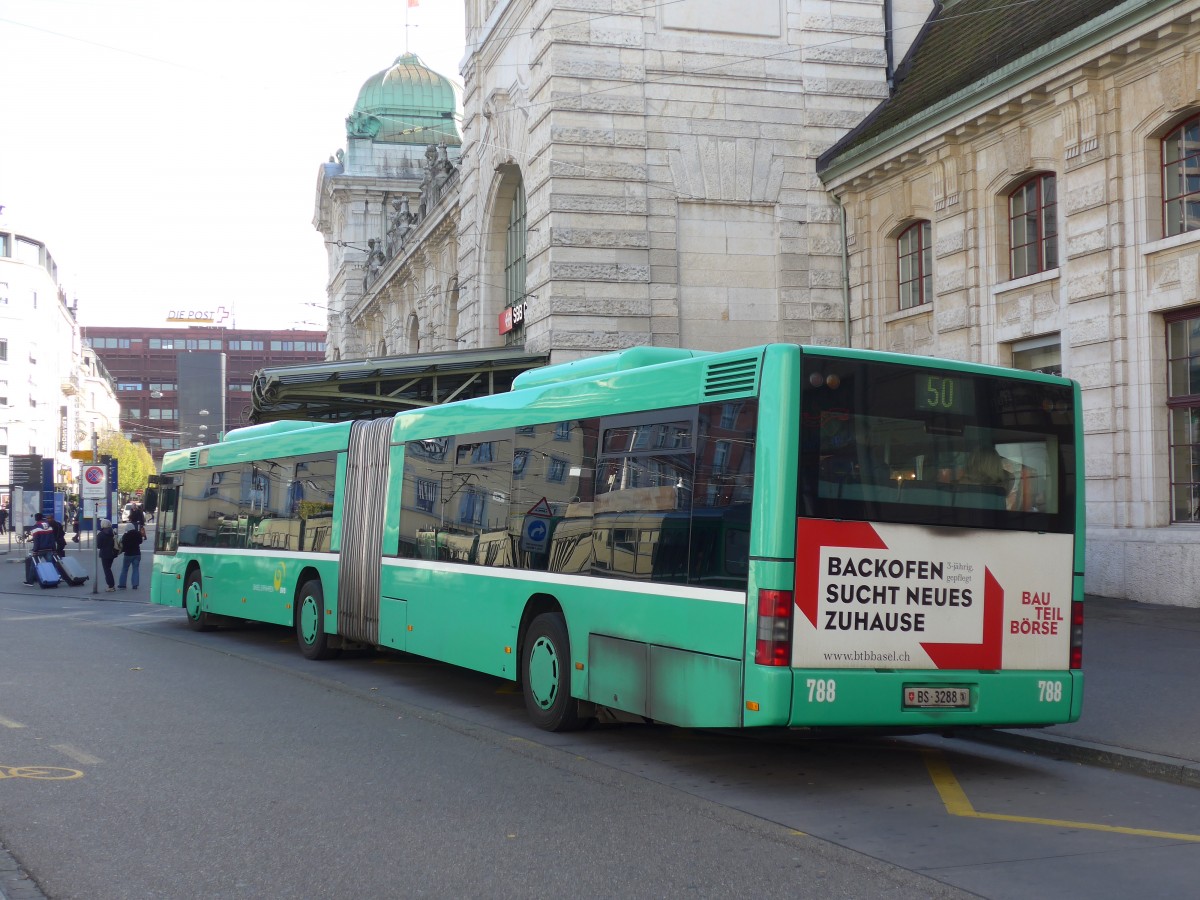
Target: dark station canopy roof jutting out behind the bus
(386,386)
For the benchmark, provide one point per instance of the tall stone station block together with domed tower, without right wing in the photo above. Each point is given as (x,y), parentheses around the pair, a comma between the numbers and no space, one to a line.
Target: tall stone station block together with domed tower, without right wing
(629,175)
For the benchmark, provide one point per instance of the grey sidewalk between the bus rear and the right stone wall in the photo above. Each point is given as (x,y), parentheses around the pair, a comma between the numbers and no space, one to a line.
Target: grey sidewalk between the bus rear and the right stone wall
(1142,694)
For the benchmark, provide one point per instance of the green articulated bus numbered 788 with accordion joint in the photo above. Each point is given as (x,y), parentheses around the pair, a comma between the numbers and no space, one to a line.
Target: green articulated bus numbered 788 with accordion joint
(784,536)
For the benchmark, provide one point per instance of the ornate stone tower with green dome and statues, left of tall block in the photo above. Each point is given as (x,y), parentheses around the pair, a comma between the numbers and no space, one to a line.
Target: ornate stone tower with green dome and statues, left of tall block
(392,269)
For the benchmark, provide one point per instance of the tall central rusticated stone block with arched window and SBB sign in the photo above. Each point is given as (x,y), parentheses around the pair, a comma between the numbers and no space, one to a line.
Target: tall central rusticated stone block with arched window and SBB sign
(664,161)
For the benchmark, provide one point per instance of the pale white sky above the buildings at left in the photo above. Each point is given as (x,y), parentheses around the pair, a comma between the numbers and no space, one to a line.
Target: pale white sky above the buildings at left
(167,151)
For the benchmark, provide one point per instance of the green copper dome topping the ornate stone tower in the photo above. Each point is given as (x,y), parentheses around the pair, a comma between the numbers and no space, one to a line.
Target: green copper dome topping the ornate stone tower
(407,104)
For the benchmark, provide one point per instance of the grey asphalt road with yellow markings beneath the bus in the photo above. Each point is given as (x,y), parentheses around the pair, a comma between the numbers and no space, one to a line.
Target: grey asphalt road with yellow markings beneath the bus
(226,766)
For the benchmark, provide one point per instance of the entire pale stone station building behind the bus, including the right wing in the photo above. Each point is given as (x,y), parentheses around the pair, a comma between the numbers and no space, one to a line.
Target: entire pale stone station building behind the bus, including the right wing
(715,176)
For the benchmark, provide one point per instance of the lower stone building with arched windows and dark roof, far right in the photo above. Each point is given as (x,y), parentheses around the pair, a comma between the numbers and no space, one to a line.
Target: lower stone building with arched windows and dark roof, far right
(1041,212)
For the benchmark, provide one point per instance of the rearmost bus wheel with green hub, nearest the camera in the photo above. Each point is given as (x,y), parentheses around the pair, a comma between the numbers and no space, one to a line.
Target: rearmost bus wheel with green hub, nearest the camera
(547,675)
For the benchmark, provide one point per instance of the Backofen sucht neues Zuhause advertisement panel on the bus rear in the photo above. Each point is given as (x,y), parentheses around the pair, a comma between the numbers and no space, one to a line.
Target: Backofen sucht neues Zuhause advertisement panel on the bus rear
(874,596)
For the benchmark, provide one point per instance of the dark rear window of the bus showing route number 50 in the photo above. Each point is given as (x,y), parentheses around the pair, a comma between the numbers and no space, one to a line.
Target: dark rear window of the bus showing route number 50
(898,443)
